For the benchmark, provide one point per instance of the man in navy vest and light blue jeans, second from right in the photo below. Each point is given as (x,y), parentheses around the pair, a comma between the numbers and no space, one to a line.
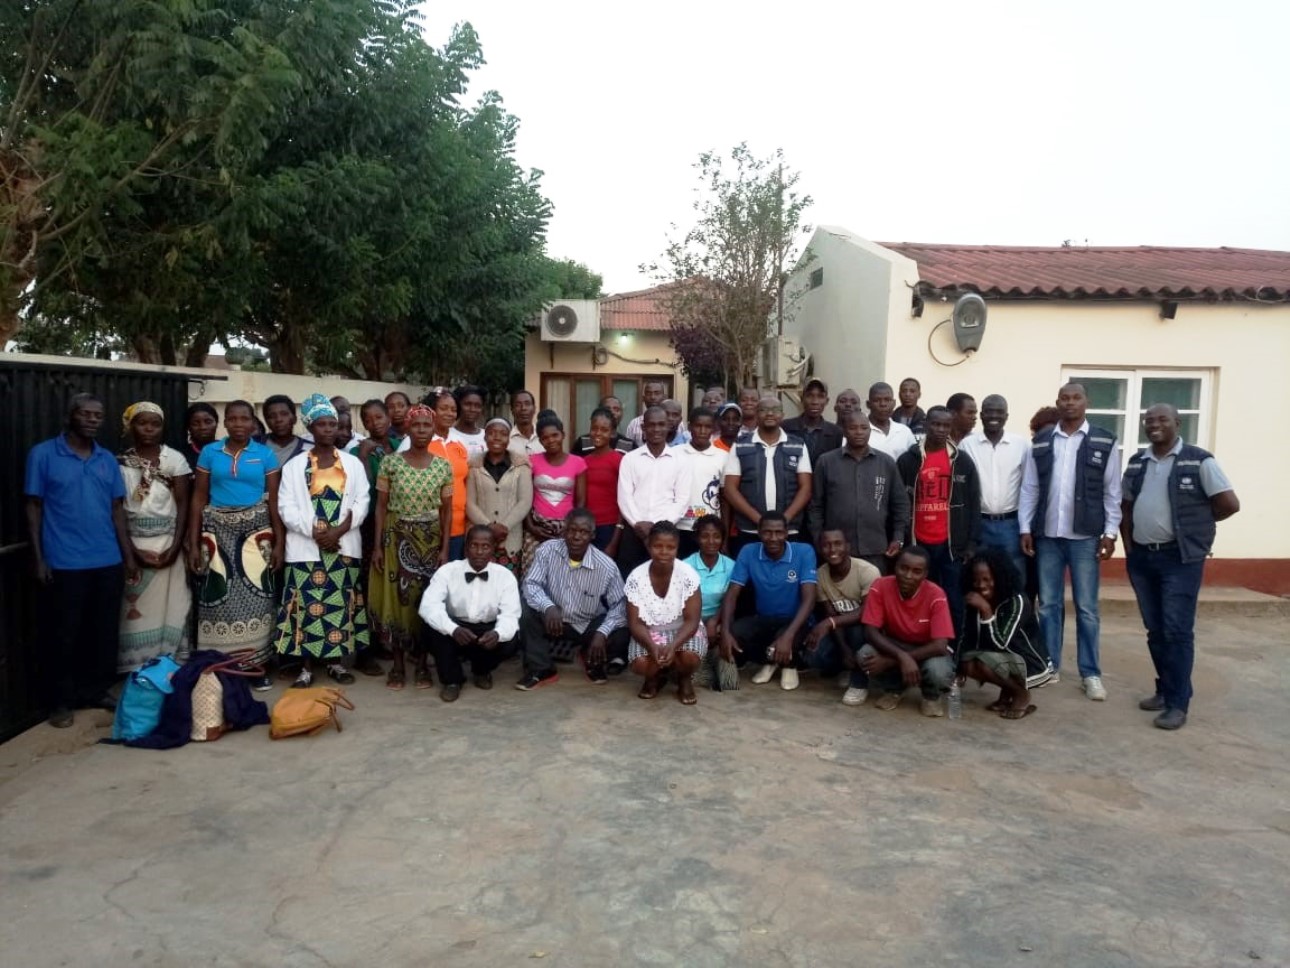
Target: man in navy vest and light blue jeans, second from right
(1067,516)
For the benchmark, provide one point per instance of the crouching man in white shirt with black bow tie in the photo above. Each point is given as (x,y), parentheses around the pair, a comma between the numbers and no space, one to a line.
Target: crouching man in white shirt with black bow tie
(473,610)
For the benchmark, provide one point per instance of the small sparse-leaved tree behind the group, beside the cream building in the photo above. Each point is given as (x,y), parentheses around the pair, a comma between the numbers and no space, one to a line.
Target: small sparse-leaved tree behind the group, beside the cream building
(731,268)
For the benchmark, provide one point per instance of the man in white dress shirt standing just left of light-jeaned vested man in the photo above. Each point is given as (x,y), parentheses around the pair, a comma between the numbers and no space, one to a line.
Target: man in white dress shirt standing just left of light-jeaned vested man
(1000,459)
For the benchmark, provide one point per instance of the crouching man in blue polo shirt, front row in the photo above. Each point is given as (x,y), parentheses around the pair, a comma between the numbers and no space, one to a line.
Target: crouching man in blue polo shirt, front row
(782,575)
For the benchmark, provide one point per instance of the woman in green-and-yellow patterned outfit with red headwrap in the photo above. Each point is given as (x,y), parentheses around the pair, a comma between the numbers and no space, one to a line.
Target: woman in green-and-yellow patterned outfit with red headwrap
(415,513)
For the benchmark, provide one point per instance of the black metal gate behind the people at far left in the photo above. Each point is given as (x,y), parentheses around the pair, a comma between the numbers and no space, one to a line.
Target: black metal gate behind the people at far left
(33,407)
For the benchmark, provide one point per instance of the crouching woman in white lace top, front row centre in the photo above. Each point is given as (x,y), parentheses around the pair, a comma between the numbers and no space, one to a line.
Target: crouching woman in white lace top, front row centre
(664,616)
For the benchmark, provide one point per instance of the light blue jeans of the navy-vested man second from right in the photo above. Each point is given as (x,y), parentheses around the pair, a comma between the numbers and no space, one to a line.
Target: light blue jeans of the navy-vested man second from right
(1079,556)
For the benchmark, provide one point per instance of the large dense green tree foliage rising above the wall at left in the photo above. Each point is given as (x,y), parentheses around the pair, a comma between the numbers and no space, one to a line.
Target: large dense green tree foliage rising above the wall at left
(300,176)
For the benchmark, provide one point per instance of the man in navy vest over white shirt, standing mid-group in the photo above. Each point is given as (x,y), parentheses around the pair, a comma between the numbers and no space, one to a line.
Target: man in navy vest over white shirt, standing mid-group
(769,472)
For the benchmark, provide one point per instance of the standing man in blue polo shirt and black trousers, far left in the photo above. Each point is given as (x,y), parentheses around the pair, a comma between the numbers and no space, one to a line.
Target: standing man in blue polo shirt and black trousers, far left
(83,554)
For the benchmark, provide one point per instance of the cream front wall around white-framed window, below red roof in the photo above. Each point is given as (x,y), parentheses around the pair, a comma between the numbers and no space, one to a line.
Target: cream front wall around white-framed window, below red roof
(1027,345)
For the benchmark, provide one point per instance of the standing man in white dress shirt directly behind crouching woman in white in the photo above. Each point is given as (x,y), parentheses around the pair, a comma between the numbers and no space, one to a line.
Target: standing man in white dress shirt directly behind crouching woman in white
(653,486)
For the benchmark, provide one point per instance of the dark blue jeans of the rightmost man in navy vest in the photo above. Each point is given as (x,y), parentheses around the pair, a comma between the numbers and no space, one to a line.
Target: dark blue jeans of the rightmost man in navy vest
(1168,589)
